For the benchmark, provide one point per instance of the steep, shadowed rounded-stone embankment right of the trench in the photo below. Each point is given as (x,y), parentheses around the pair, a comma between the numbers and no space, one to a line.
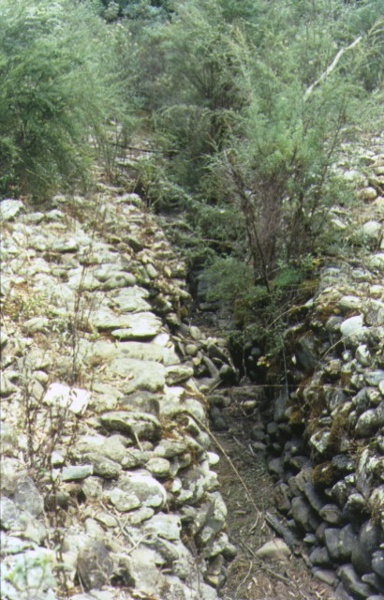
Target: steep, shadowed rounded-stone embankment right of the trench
(327,432)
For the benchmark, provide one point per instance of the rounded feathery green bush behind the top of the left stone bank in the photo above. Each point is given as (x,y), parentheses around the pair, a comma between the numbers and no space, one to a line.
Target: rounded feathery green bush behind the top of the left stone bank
(56,94)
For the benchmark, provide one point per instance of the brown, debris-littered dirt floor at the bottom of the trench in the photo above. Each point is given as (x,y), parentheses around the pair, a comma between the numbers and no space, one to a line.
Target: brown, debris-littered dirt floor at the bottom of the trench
(249,577)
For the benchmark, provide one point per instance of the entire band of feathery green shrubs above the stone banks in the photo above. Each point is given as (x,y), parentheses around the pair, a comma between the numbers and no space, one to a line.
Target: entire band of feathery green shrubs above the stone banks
(246,103)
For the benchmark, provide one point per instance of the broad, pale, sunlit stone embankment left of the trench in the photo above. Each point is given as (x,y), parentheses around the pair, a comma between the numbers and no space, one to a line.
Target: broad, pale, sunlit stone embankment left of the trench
(107,478)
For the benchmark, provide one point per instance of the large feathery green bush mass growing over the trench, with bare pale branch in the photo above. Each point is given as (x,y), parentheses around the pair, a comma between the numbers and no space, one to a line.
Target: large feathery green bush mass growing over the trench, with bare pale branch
(250,102)
